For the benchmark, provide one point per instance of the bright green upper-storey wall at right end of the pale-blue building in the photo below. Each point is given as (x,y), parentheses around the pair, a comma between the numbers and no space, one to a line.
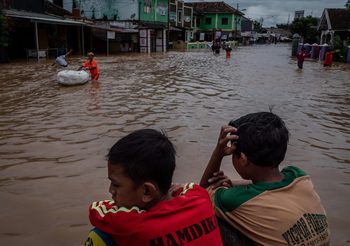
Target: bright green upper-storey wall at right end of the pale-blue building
(153,10)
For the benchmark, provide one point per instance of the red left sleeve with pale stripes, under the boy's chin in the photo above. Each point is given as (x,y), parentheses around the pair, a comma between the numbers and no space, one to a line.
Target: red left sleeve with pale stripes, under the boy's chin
(107,217)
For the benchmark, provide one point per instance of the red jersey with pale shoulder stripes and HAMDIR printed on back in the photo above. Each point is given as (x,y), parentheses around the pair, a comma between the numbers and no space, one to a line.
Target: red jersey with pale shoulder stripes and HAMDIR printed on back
(186,219)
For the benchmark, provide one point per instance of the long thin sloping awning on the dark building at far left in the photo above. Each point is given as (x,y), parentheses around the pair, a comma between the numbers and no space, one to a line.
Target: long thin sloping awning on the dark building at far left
(41,18)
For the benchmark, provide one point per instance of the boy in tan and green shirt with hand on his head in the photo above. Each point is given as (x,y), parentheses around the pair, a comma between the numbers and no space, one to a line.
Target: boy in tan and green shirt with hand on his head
(274,207)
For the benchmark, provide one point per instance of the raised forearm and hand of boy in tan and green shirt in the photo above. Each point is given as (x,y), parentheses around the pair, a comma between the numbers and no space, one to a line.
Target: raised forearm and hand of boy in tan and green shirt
(222,149)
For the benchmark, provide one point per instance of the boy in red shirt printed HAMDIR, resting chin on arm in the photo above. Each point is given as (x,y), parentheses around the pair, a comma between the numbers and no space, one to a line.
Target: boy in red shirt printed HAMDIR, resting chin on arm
(145,208)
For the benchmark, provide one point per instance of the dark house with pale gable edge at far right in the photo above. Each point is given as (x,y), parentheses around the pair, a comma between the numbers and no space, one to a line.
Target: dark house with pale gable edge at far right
(334,22)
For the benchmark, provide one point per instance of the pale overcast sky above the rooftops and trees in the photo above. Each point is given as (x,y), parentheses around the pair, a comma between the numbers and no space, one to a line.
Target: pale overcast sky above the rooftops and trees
(277,11)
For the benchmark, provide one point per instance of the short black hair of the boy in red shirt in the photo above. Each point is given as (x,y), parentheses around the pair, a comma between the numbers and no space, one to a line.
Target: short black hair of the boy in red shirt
(145,155)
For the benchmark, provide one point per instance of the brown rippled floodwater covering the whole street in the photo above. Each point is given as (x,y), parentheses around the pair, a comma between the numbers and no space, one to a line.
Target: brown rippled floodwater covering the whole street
(54,139)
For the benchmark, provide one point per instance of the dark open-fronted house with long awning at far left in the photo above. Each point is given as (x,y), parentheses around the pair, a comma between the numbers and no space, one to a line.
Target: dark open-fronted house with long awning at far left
(39,29)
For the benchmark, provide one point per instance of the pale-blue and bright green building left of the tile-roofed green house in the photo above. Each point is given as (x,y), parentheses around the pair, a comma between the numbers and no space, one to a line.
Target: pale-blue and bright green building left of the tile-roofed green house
(148,18)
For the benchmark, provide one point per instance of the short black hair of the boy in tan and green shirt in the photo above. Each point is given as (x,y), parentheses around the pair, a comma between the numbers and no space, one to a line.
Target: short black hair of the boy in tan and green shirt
(263,138)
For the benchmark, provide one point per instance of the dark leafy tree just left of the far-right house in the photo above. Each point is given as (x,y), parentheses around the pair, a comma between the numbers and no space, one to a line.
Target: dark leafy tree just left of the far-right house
(307,28)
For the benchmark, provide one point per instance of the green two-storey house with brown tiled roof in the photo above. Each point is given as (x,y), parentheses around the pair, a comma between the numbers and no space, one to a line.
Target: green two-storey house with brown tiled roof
(216,20)
